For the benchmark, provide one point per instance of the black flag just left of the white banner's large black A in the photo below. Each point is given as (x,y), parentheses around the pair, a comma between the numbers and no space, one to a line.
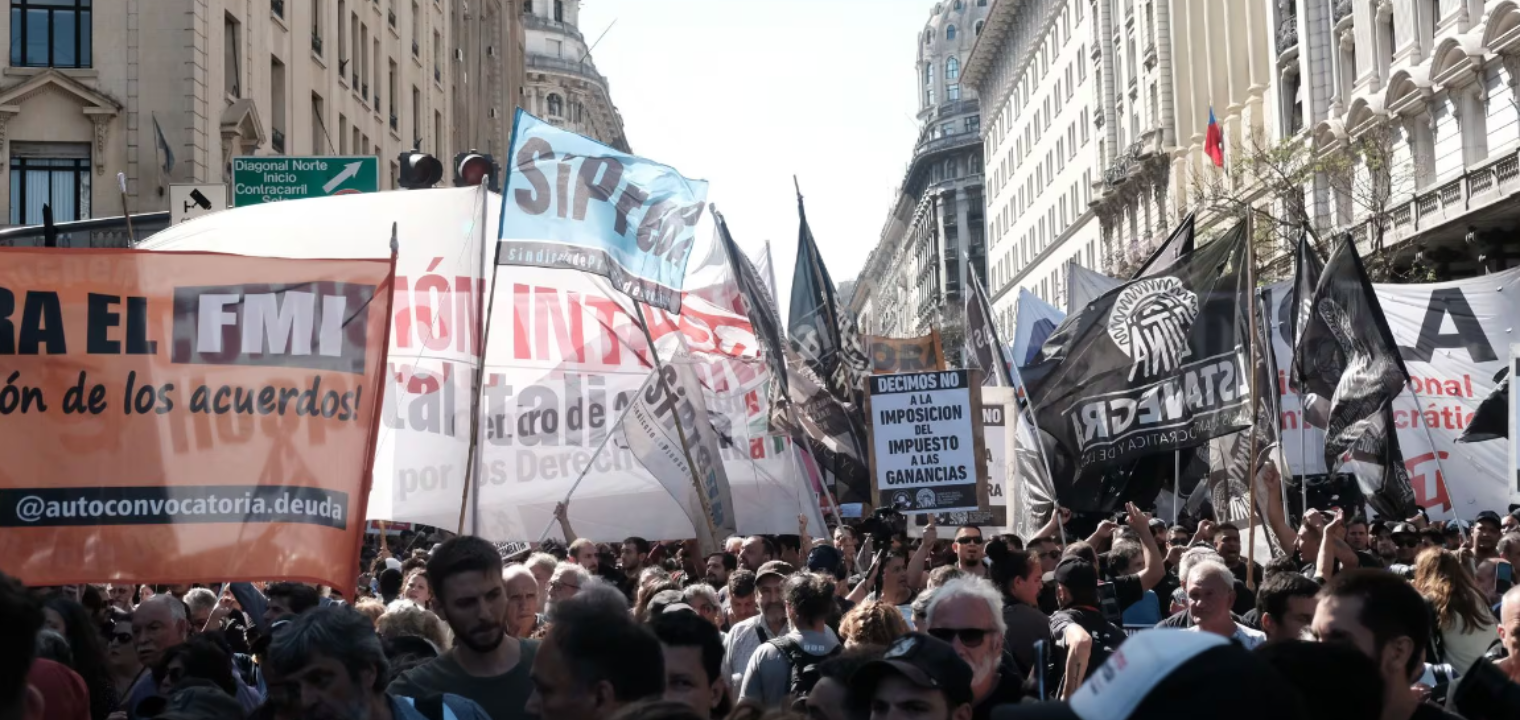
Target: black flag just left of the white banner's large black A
(1352,373)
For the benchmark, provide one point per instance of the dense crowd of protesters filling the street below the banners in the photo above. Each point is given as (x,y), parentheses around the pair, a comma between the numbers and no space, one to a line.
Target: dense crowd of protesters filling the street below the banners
(1123,619)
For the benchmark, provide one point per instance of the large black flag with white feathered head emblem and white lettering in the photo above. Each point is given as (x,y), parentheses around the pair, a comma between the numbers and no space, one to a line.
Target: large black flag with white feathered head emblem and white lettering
(1156,365)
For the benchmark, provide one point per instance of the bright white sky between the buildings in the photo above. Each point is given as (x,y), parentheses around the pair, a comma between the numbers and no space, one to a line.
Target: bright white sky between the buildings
(746,93)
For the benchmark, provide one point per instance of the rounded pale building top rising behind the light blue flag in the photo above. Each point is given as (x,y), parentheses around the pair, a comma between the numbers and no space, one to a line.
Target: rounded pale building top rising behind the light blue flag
(563,84)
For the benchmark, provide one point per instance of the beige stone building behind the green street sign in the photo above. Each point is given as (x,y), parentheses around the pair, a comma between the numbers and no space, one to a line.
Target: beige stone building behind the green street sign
(171,90)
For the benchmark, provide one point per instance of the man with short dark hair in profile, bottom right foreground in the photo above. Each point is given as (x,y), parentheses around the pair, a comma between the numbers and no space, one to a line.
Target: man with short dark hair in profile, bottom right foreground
(1385,619)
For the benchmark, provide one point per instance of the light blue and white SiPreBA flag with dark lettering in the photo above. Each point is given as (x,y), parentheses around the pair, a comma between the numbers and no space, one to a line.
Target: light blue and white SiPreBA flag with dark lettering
(581,206)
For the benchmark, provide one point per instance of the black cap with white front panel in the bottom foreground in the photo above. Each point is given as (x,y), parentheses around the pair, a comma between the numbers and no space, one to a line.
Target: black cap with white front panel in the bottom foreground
(1170,674)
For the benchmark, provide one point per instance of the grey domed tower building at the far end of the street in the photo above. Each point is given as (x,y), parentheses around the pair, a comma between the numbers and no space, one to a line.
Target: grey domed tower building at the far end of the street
(934,239)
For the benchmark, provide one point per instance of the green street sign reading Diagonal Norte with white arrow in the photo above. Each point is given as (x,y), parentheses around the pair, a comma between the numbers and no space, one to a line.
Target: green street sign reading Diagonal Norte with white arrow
(277,178)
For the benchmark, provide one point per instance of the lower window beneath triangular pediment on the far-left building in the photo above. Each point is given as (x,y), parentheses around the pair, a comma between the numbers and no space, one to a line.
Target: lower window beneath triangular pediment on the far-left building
(49,174)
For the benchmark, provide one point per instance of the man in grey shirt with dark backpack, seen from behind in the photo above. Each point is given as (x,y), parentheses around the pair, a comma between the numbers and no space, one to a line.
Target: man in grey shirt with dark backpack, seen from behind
(777,668)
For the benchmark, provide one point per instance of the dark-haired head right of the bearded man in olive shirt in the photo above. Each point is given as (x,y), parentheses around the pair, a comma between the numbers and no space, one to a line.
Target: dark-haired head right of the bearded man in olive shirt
(594,662)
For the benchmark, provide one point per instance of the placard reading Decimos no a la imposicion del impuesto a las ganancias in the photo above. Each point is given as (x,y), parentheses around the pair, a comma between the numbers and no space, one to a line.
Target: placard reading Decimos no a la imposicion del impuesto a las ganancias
(926,450)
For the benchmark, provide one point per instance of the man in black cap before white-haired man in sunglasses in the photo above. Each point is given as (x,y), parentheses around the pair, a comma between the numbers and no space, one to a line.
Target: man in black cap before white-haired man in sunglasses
(917,678)
